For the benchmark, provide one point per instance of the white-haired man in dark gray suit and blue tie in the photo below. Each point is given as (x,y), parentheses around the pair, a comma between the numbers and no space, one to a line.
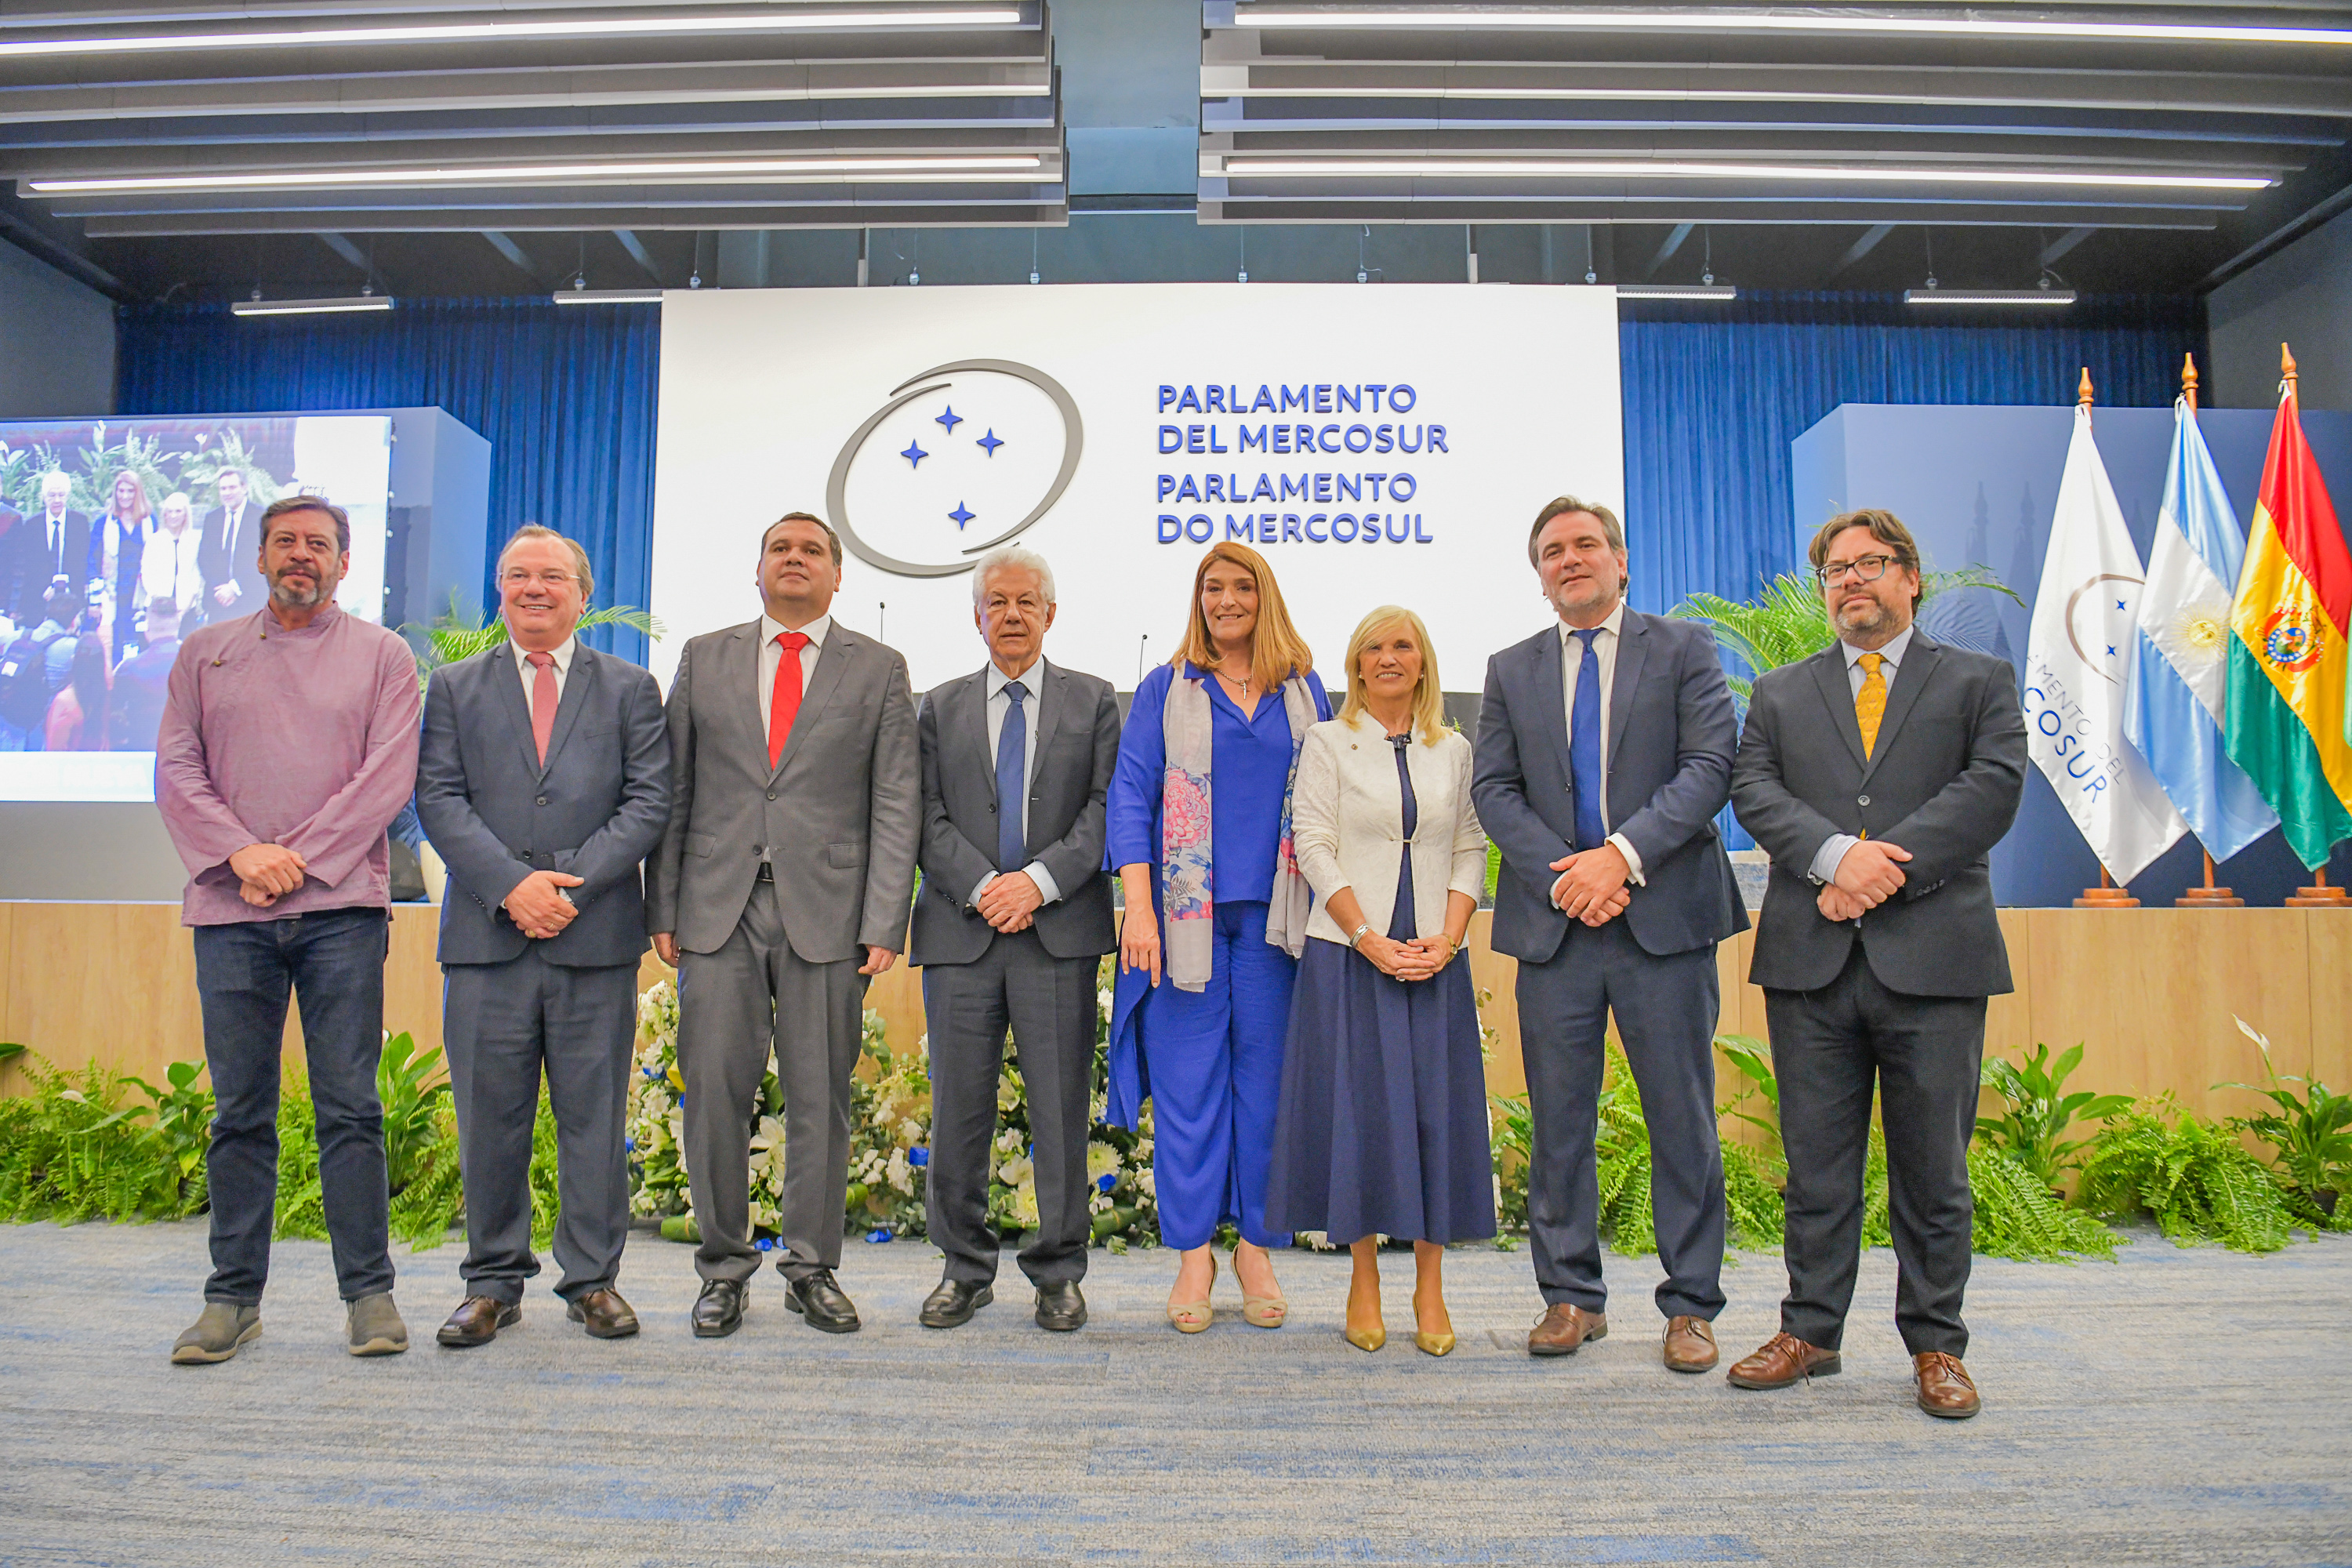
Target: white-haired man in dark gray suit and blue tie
(1013,920)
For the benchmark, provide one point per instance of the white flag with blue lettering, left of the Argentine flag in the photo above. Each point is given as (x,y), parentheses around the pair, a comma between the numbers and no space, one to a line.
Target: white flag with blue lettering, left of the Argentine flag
(2078,671)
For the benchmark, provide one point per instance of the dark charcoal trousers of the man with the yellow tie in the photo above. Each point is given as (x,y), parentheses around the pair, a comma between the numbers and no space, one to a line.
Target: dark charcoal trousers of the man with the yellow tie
(1923,1054)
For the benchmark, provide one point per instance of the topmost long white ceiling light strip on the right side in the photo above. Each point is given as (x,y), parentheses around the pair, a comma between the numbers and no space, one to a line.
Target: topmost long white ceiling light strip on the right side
(1819,22)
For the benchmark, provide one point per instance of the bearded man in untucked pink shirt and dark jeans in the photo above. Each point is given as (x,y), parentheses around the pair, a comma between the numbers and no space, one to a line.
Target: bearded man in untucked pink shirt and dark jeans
(288,746)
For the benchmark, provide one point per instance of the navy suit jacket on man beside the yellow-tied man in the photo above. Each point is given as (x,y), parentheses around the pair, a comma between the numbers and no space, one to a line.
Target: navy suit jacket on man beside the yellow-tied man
(1671,739)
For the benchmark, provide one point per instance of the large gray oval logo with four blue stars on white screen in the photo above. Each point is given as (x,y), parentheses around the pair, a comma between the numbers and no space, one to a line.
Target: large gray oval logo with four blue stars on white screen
(958,462)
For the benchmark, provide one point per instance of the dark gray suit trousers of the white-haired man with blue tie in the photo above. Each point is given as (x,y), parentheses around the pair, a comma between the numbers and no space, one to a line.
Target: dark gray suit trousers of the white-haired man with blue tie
(1050,1007)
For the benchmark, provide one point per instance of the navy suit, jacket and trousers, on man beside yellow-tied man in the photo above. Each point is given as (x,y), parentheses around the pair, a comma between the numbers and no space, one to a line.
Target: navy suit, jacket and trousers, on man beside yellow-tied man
(1669,772)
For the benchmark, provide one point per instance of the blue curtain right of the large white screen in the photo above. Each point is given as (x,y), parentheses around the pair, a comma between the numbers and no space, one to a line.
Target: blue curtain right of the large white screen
(1716,396)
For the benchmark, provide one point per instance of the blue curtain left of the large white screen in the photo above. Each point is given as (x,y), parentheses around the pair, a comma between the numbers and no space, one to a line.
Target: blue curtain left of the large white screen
(566,398)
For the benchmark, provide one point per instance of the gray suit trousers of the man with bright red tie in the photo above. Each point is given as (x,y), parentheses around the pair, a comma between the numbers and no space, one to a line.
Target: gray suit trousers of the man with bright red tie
(737,1007)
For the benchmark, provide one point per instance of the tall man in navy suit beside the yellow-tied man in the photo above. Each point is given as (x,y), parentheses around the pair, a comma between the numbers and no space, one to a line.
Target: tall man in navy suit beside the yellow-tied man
(1603,758)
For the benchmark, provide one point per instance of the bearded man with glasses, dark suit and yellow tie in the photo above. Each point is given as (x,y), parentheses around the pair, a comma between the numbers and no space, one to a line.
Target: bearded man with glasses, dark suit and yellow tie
(1880,775)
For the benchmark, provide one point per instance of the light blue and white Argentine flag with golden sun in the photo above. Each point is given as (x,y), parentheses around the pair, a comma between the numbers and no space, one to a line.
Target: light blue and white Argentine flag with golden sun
(2181,657)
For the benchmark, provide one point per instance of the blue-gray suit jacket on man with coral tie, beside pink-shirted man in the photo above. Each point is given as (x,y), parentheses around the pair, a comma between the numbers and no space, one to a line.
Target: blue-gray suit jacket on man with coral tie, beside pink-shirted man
(495,815)
